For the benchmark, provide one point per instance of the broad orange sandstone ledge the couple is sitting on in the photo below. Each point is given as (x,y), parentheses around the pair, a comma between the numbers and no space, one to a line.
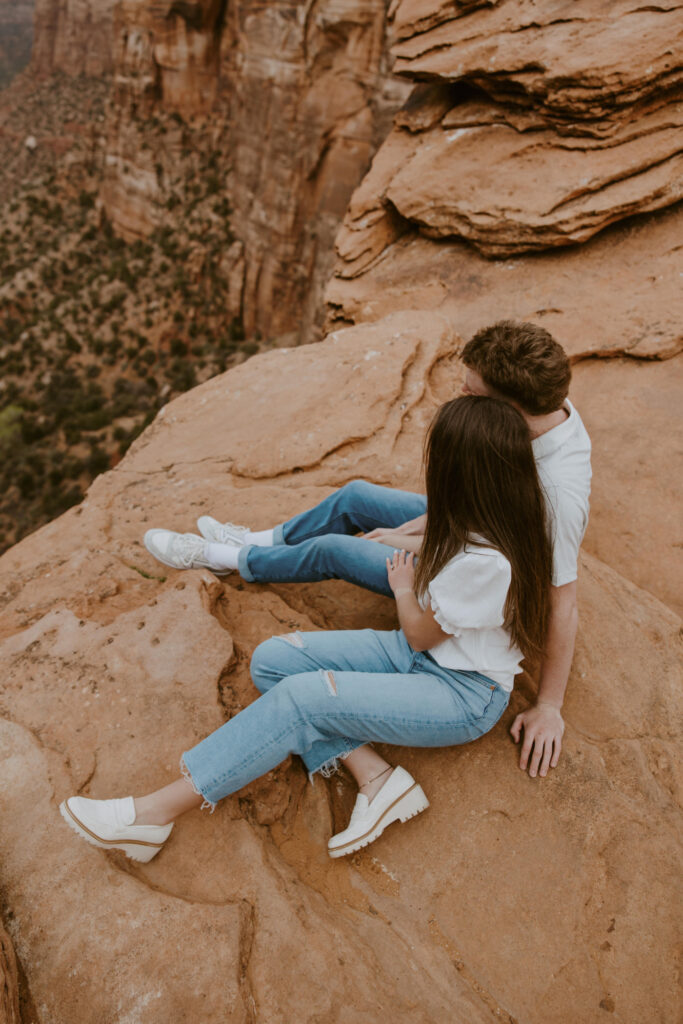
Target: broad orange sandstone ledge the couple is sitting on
(113,666)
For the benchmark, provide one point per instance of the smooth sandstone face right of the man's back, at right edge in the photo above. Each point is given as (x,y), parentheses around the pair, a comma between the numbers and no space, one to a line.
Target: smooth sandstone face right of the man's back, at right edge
(633,410)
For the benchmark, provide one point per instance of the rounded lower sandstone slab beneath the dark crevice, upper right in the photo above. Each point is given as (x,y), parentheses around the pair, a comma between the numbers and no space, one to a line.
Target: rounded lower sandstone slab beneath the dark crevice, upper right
(509,192)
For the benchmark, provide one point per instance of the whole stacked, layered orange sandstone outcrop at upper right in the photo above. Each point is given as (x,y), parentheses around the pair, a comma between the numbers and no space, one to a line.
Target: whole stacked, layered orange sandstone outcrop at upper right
(533,127)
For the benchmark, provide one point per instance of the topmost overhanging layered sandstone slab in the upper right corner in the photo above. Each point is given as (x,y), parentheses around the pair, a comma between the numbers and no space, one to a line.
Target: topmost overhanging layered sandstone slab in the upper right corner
(578,61)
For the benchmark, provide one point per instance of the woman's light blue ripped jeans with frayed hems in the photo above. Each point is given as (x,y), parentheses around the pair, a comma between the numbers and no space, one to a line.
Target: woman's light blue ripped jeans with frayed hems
(324,695)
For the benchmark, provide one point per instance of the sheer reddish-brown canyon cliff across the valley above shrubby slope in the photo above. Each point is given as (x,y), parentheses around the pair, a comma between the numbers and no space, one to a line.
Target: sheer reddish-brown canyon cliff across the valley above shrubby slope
(294,100)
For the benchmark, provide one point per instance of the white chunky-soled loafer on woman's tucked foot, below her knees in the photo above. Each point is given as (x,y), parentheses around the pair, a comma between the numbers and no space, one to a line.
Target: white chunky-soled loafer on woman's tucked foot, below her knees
(400,799)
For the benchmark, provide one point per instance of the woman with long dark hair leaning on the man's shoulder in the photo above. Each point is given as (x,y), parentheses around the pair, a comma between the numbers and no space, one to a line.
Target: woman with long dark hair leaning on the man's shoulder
(476,606)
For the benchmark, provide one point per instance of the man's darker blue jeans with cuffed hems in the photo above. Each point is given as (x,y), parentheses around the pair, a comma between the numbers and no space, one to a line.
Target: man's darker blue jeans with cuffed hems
(319,544)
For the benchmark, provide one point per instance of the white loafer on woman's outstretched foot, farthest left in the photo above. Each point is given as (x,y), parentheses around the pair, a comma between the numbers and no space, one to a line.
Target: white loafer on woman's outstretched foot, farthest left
(110,825)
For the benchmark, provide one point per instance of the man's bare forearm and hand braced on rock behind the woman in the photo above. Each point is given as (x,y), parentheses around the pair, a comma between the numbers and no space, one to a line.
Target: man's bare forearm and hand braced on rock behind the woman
(543,724)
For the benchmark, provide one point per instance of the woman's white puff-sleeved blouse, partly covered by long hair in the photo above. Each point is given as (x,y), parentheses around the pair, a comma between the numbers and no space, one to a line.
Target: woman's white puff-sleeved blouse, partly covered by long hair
(468,601)
